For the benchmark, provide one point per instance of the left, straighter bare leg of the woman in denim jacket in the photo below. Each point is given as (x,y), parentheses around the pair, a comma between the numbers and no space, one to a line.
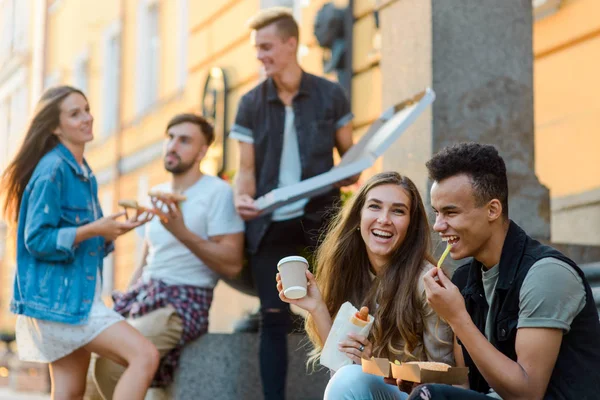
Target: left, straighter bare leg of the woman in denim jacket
(68,375)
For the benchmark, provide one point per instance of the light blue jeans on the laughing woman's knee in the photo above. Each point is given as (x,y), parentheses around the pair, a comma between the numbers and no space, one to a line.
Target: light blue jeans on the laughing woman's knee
(350,383)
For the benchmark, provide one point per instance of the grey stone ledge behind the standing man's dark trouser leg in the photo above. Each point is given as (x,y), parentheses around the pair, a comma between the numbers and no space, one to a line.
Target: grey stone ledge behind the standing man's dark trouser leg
(225,366)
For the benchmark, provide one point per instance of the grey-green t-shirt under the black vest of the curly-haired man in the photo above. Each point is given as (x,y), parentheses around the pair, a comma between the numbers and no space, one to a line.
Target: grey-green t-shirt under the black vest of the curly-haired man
(551,296)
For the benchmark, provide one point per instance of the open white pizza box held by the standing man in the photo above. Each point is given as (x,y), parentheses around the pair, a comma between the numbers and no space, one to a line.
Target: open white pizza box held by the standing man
(390,125)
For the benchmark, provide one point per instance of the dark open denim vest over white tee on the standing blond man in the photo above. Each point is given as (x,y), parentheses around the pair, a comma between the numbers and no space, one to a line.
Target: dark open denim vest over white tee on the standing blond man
(314,119)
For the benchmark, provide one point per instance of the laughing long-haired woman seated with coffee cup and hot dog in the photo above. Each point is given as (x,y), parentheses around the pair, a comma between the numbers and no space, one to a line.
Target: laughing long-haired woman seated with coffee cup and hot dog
(375,254)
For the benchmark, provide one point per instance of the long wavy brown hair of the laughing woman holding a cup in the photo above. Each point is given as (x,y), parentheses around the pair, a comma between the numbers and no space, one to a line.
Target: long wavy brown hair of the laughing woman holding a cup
(343,275)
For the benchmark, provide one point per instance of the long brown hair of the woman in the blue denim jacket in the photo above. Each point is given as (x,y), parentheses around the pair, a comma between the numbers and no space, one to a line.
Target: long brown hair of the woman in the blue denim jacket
(39,140)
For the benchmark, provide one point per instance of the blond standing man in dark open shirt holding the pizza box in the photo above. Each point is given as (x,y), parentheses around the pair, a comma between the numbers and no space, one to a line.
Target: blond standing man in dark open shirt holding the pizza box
(287,127)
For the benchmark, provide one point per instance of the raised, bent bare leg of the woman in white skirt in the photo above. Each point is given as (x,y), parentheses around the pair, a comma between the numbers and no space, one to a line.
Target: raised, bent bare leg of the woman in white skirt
(124,345)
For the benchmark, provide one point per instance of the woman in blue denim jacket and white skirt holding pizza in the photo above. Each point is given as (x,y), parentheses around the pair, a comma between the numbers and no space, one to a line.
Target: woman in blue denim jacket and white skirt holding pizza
(62,238)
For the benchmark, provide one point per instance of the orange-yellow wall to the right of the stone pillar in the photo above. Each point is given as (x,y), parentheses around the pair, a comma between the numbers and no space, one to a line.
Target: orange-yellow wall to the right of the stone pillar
(567,110)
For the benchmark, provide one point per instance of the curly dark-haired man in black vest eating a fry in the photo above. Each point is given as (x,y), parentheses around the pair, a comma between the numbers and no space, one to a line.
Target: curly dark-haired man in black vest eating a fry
(523,313)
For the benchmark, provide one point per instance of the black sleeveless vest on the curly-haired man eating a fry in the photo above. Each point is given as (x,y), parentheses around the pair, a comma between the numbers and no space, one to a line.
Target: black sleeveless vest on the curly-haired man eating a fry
(576,374)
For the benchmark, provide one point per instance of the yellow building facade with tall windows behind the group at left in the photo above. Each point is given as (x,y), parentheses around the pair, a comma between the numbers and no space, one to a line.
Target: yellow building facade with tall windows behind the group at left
(75,26)
